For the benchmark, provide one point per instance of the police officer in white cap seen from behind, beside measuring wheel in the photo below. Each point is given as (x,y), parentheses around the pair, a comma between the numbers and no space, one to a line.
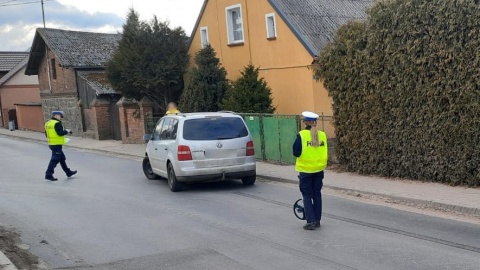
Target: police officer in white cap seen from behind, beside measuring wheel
(311,151)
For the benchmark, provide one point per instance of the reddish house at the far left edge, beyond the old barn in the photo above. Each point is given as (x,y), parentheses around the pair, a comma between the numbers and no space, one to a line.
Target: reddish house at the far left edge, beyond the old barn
(17,92)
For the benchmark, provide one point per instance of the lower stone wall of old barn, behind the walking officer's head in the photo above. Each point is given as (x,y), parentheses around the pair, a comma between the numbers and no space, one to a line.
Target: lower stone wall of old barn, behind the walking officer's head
(68,104)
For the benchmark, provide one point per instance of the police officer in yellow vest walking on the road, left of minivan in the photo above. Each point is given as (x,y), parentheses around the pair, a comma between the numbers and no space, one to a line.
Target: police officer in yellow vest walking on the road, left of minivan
(55,133)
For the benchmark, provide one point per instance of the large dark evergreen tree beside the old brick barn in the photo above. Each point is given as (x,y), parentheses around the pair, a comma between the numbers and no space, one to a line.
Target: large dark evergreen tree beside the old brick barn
(150,60)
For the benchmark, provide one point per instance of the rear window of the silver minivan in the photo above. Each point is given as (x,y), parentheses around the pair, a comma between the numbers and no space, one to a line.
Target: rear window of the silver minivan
(214,128)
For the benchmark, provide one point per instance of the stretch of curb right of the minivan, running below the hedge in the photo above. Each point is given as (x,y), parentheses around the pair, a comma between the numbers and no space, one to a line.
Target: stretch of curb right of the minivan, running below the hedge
(393,199)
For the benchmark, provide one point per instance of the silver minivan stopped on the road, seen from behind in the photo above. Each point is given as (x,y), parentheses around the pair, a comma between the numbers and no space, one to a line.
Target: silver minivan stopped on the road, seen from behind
(195,147)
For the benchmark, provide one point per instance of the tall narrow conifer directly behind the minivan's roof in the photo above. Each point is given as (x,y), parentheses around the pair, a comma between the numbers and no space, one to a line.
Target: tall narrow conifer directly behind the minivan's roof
(207,83)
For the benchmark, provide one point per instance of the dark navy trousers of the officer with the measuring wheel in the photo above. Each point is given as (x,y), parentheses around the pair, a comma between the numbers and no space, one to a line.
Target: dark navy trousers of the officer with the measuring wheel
(310,186)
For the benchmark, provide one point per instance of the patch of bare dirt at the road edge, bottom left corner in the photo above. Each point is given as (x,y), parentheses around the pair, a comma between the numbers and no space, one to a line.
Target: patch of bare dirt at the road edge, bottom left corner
(18,253)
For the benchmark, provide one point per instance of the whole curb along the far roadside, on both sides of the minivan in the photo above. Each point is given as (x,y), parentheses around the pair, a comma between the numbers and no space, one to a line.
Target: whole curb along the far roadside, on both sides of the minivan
(389,198)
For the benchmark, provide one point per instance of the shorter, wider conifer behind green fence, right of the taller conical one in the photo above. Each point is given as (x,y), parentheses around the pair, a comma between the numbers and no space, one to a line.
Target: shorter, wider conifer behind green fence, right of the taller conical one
(249,93)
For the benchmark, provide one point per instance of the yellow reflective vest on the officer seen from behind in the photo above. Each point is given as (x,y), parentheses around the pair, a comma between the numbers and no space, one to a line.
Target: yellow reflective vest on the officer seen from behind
(312,159)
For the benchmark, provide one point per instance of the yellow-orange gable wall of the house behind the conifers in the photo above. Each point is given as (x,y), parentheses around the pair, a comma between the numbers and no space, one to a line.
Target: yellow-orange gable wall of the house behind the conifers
(283,62)
